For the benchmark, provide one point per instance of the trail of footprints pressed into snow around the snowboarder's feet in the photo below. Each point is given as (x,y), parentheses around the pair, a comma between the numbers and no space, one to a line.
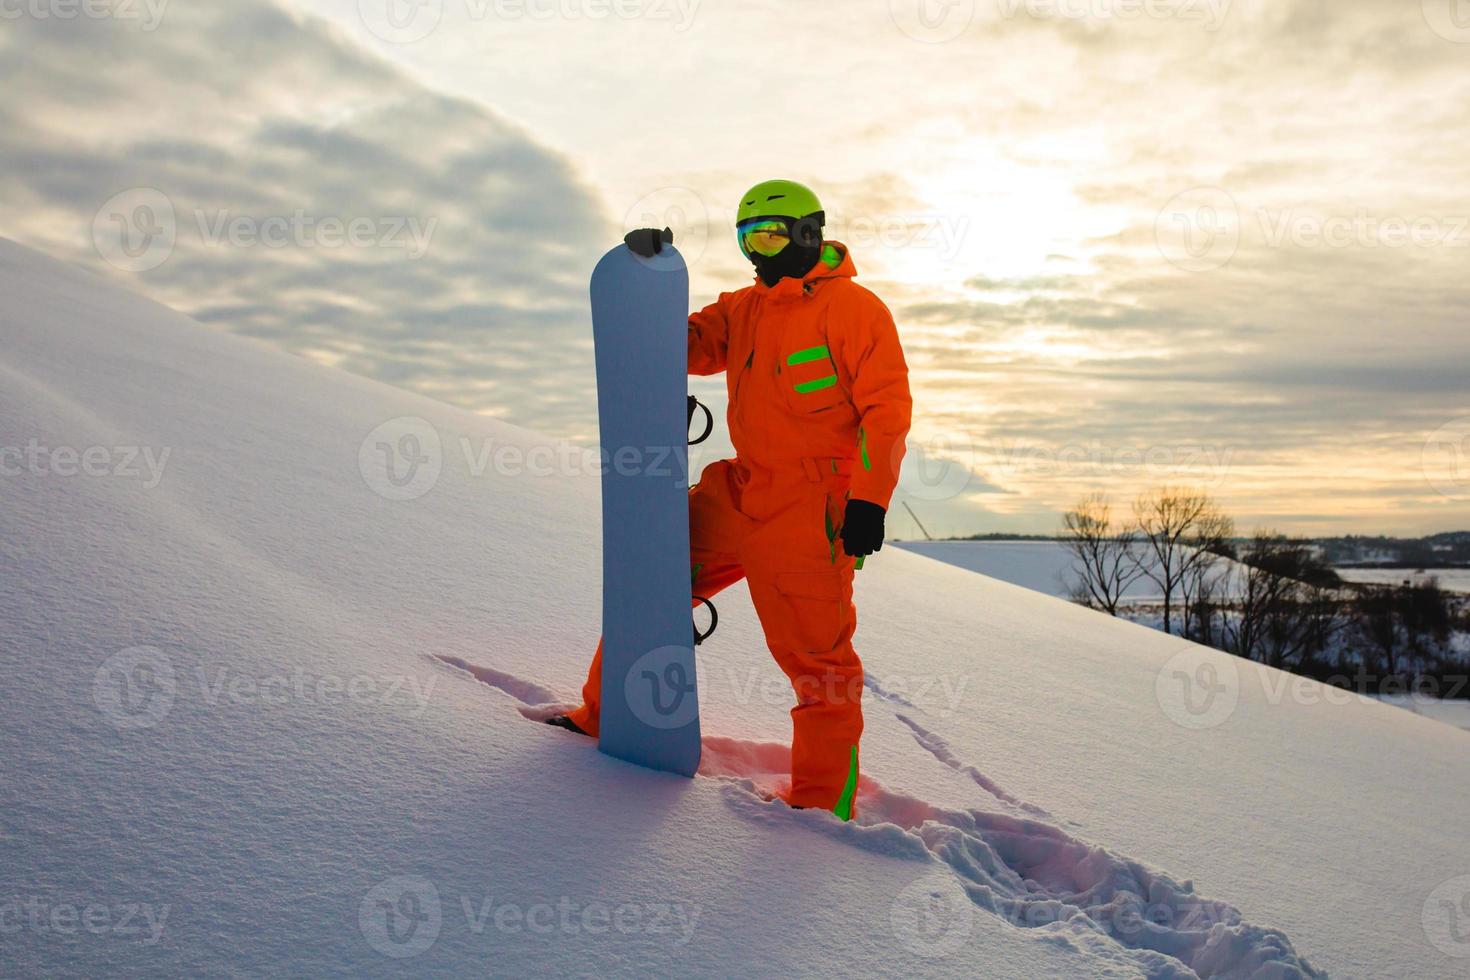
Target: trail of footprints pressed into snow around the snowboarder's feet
(1017,865)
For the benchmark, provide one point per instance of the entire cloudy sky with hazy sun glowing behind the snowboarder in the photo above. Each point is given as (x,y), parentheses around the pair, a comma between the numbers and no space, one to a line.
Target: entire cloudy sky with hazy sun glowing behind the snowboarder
(1128,243)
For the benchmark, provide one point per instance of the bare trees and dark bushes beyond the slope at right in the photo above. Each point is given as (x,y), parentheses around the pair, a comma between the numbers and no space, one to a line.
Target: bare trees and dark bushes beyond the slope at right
(1272,599)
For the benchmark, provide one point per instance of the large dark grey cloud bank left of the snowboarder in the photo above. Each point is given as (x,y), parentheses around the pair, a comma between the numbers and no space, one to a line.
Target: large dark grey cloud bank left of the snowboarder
(320,198)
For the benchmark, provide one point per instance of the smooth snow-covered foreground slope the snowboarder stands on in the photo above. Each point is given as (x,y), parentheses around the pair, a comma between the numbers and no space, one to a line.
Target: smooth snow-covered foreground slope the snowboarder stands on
(270,712)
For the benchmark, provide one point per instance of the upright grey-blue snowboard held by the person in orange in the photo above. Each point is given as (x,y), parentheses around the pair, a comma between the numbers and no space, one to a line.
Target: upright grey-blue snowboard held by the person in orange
(650,709)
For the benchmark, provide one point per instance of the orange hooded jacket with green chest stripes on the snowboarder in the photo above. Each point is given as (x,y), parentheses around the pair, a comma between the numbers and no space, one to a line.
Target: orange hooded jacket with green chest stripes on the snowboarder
(815,375)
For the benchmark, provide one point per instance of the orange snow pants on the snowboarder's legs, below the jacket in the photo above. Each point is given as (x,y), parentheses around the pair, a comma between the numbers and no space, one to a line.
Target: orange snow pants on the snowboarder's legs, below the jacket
(802,587)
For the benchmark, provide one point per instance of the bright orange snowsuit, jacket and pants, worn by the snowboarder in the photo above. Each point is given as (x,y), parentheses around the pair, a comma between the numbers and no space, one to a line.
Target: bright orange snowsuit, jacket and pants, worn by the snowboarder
(818,412)
